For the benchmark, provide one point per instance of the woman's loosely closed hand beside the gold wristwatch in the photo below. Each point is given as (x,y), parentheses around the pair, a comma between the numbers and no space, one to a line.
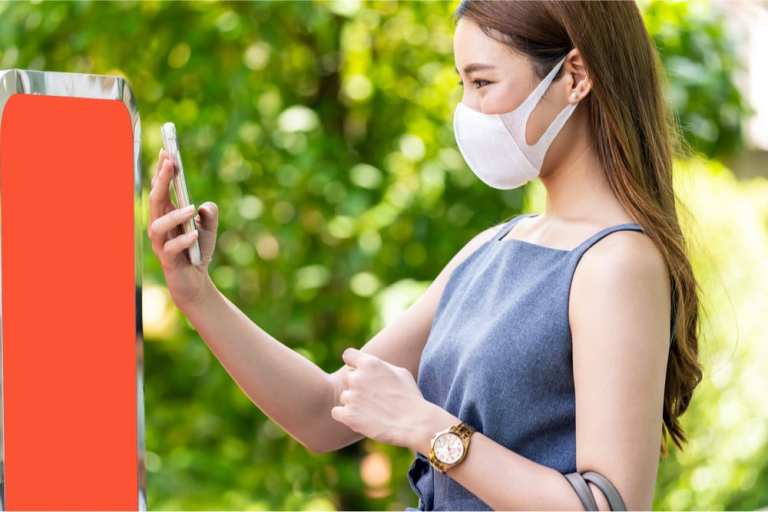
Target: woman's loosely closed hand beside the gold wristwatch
(383,402)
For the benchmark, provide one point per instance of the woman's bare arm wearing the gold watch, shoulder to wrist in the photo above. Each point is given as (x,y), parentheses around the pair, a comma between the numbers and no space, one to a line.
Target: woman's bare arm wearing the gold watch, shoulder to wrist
(619,314)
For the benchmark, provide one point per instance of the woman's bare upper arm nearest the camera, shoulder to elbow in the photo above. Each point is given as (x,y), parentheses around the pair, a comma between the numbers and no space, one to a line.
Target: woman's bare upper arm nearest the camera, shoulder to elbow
(620,317)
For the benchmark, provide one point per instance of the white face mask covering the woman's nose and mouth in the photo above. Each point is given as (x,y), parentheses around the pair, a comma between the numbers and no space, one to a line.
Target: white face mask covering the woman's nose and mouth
(494,145)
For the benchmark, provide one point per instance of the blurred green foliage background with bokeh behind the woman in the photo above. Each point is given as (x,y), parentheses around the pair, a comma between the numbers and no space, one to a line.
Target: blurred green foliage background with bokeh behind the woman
(322,129)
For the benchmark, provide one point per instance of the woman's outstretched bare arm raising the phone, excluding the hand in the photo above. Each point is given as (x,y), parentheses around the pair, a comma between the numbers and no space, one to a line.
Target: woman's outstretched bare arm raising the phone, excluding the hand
(291,390)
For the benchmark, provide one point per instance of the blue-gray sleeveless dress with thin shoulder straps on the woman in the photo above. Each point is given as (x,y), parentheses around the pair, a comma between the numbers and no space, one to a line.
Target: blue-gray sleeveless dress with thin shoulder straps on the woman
(498,356)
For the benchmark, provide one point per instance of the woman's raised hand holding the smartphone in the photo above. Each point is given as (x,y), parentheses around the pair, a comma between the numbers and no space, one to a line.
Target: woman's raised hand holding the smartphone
(186,282)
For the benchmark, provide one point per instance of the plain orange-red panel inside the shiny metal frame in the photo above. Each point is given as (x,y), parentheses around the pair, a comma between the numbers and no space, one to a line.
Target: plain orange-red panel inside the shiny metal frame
(68,304)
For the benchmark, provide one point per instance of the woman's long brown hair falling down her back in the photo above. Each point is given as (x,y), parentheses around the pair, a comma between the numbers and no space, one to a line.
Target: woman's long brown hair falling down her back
(635,137)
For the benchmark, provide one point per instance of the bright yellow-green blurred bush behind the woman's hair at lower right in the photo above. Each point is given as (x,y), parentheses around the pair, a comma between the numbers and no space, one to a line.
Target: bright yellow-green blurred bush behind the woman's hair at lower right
(725,465)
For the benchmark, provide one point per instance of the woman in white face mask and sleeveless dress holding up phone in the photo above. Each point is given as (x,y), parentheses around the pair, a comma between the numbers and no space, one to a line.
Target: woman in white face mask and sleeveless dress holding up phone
(586,311)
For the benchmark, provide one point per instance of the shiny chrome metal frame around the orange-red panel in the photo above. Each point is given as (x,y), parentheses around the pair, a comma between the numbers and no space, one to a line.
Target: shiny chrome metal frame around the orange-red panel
(78,85)
